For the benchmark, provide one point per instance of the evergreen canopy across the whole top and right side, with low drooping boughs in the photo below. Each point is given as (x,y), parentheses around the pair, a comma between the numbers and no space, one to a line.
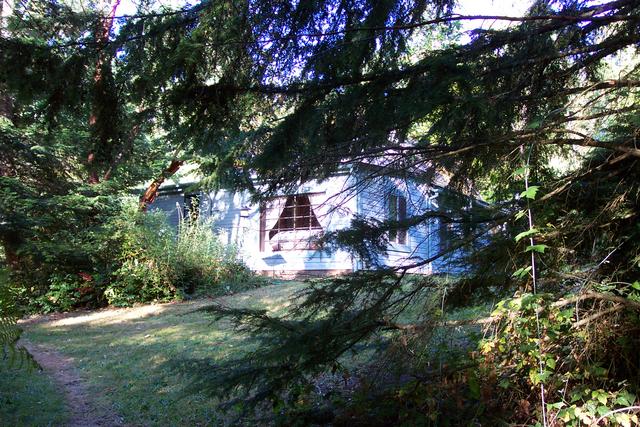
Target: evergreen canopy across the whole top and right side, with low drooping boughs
(540,117)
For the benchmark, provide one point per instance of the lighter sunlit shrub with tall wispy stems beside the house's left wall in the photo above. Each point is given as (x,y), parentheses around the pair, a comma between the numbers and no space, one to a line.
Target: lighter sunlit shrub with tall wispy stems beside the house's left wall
(155,264)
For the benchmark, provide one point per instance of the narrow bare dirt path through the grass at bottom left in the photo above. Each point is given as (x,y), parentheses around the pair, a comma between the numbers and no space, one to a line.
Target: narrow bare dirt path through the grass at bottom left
(83,408)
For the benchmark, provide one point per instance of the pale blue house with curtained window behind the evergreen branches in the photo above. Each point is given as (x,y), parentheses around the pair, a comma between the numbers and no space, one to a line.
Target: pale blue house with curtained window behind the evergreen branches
(278,237)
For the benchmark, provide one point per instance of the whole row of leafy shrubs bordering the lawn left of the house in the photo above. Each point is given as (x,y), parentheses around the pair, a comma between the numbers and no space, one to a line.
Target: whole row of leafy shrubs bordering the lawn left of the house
(111,253)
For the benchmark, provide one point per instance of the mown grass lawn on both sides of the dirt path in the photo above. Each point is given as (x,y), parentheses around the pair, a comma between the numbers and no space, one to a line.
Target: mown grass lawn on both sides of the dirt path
(125,357)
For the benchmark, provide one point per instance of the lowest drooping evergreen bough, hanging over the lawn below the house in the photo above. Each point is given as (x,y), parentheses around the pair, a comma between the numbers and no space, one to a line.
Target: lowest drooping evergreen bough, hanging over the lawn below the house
(340,313)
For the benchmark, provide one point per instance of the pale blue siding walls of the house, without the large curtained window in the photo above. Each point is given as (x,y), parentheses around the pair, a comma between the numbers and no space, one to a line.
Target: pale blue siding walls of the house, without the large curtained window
(336,201)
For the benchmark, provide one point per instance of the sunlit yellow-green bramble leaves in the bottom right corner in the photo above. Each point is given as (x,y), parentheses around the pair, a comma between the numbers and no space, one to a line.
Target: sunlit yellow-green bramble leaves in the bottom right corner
(586,367)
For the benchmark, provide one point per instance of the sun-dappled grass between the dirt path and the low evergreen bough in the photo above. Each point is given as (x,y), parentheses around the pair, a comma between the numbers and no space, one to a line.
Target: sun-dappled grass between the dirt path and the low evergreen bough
(152,353)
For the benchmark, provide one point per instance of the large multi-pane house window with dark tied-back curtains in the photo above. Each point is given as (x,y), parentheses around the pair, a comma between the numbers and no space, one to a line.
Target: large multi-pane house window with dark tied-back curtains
(293,226)
